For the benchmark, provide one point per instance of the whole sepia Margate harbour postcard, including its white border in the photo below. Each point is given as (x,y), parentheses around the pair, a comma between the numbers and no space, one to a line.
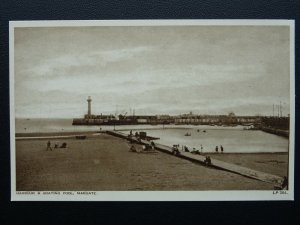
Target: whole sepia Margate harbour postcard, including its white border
(152,110)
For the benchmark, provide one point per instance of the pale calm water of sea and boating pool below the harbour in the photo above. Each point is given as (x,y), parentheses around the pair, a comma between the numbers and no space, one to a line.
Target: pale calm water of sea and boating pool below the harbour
(233,139)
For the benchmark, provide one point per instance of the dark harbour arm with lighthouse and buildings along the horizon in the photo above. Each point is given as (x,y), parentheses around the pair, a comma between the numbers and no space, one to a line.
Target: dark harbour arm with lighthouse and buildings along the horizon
(278,125)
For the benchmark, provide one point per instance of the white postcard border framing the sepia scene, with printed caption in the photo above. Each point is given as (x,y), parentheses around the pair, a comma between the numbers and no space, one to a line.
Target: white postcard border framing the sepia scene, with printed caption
(152,195)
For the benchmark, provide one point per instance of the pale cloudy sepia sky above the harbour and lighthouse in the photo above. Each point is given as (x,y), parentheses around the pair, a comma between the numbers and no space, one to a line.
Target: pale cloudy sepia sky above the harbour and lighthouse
(151,70)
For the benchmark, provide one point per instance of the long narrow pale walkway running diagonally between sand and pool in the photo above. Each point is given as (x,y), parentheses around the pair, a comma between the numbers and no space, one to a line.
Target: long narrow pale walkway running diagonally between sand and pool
(218,164)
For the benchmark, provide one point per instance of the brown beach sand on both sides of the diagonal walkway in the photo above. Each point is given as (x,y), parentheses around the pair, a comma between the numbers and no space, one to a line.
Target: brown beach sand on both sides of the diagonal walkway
(104,163)
